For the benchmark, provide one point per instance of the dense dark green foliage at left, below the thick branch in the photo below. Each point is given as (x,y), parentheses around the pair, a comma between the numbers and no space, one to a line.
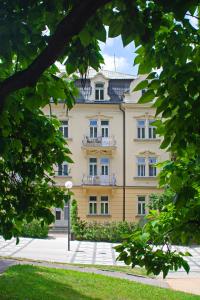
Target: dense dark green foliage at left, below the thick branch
(30,144)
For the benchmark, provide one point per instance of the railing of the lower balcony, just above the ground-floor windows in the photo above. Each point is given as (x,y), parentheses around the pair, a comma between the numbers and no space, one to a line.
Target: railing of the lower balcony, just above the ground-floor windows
(101,180)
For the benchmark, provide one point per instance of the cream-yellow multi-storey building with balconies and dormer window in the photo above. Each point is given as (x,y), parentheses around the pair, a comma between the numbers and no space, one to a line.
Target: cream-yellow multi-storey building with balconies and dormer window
(114,148)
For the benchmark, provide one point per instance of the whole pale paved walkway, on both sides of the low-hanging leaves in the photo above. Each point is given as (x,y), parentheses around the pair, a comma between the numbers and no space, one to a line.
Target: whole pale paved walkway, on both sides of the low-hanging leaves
(54,249)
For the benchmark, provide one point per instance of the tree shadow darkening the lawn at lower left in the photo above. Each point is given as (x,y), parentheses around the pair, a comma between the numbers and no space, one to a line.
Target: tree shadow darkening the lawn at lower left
(31,283)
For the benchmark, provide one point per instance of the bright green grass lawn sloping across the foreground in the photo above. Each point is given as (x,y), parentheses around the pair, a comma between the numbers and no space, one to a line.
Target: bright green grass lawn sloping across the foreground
(25,282)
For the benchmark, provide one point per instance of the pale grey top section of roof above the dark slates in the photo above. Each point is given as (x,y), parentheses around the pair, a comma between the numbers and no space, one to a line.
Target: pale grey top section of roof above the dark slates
(108,74)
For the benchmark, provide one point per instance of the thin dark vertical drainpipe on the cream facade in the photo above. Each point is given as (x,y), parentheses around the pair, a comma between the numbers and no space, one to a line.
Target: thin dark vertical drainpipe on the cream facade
(124,163)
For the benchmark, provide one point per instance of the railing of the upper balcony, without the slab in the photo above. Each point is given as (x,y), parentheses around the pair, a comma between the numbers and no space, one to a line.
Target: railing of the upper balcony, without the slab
(99,142)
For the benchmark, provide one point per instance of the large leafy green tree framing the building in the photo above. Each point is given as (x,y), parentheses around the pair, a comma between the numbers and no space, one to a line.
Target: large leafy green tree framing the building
(165,40)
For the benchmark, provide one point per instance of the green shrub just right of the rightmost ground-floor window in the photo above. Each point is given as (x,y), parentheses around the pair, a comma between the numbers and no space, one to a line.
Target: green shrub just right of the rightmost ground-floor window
(158,201)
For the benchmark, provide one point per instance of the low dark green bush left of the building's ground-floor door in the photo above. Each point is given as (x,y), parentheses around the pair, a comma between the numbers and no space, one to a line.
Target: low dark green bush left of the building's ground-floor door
(35,230)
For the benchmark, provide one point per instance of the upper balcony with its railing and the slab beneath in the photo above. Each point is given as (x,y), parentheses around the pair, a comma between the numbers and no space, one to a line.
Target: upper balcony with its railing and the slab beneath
(99,144)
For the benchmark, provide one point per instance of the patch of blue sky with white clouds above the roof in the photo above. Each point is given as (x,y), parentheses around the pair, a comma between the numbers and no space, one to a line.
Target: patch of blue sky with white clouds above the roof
(116,57)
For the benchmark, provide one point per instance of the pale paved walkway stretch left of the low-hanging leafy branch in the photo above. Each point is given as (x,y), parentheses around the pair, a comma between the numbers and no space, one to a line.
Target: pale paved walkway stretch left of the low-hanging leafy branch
(54,249)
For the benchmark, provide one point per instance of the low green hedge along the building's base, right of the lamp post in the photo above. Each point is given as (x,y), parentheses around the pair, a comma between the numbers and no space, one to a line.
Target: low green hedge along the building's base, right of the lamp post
(108,231)
